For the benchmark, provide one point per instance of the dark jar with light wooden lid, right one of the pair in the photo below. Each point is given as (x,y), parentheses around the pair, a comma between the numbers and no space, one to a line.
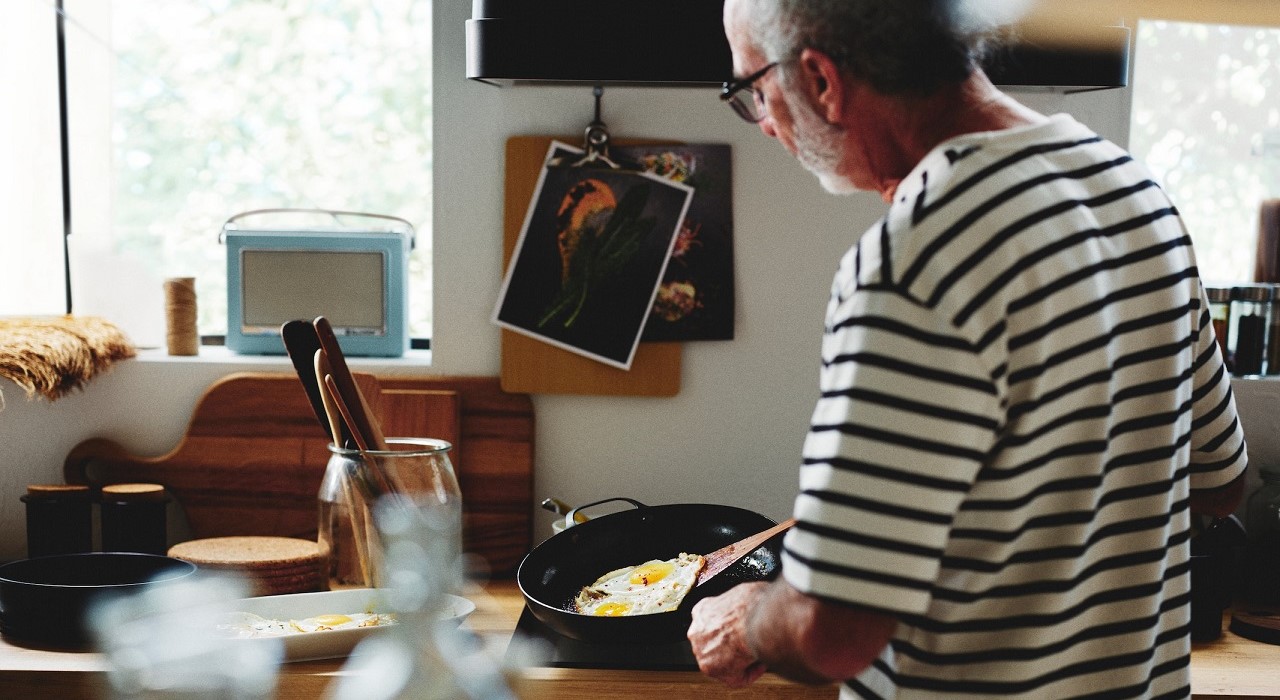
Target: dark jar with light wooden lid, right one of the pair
(135,519)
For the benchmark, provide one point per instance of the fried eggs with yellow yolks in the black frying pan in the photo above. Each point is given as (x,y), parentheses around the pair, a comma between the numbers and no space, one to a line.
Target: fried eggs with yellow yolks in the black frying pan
(655,587)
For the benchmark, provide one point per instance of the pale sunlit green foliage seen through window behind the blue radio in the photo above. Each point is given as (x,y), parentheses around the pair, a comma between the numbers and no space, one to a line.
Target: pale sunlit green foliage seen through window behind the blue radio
(223,107)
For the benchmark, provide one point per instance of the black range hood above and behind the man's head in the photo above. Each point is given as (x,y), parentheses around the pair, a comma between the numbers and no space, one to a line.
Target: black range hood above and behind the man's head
(682,43)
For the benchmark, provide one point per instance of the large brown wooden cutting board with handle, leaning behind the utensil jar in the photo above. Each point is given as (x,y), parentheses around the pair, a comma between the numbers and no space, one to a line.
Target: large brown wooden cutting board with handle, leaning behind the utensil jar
(254,456)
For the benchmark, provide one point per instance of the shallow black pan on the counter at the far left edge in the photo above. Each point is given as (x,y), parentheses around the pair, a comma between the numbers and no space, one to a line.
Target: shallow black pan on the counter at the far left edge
(44,601)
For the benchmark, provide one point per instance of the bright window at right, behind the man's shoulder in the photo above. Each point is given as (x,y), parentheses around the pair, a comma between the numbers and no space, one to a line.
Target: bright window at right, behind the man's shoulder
(1206,120)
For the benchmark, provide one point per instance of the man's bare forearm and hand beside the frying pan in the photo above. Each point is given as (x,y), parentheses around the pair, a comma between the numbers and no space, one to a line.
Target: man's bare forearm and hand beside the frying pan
(758,628)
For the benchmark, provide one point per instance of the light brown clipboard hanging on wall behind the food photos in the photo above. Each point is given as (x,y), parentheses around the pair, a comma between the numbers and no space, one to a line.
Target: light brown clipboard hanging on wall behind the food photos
(532,367)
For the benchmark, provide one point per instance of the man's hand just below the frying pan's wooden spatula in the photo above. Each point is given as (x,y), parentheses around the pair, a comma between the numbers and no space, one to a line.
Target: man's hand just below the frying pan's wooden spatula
(719,635)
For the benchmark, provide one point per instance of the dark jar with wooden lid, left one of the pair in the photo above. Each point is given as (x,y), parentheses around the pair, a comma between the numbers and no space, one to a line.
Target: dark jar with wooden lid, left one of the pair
(60,520)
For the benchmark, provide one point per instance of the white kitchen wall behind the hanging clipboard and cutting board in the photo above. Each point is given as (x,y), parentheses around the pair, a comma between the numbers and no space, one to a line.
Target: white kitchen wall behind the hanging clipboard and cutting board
(733,434)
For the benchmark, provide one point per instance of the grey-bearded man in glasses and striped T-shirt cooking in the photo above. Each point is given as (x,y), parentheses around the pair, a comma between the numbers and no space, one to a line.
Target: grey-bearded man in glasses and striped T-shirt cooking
(1022,399)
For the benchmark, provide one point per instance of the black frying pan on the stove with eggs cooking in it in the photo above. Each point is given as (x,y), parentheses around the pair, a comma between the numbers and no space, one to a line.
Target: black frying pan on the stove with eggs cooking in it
(554,574)
